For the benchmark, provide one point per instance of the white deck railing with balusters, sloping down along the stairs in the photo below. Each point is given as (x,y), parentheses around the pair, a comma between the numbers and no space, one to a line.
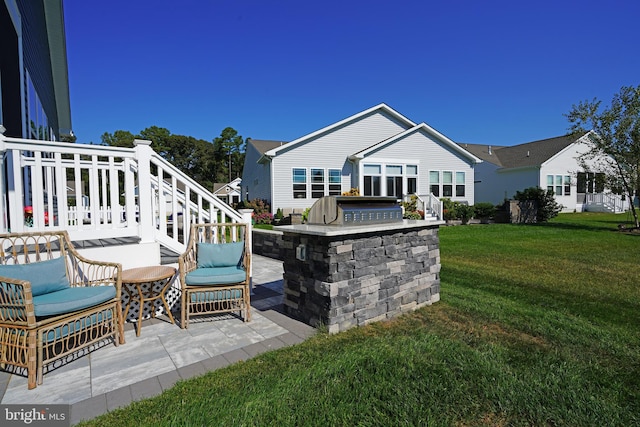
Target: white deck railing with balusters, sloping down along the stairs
(99,192)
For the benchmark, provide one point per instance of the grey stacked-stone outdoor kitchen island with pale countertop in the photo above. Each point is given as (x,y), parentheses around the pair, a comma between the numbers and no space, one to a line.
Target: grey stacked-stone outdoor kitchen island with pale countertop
(350,274)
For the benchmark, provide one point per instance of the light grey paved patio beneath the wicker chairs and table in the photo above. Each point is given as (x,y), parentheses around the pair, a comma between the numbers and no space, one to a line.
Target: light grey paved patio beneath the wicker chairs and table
(112,377)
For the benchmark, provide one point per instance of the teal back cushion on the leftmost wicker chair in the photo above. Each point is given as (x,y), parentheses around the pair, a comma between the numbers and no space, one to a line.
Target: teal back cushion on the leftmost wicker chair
(45,276)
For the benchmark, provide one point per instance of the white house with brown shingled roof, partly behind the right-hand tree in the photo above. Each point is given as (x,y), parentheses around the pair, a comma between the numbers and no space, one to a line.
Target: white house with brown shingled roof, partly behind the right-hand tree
(551,164)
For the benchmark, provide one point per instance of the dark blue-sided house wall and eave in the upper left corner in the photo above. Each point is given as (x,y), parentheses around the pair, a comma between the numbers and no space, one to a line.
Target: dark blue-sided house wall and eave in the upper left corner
(34,87)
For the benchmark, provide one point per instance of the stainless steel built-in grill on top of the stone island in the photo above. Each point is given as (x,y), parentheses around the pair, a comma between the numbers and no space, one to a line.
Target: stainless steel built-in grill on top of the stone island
(354,210)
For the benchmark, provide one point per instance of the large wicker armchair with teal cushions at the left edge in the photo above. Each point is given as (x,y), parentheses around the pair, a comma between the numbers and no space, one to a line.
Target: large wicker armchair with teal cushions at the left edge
(53,302)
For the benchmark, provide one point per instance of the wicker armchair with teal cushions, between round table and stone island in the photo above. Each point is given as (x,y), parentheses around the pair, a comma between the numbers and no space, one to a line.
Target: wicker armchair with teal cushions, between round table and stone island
(214,271)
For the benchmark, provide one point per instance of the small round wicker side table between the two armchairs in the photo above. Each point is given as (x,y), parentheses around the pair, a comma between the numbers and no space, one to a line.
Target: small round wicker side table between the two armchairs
(133,280)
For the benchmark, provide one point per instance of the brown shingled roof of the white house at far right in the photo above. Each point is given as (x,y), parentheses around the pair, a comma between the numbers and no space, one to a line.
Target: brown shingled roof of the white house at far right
(529,154)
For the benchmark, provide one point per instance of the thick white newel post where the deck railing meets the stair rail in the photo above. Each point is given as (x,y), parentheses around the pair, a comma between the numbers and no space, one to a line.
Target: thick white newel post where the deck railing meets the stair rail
(146,227)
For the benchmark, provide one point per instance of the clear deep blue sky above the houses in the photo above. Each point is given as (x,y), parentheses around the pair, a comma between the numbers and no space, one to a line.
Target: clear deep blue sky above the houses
(485,72)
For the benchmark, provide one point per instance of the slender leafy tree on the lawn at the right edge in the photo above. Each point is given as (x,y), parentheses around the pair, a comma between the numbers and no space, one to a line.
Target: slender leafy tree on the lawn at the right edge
(615,141)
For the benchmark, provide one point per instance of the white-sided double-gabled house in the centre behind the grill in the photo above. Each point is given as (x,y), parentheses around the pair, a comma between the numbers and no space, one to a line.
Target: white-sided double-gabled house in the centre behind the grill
(378,151)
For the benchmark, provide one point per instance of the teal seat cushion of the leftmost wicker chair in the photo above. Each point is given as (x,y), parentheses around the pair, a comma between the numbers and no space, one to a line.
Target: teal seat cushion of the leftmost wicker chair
(71,299)
